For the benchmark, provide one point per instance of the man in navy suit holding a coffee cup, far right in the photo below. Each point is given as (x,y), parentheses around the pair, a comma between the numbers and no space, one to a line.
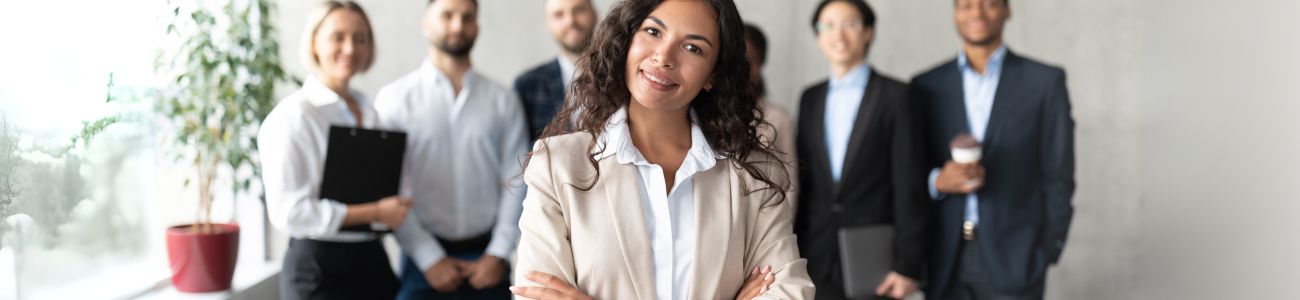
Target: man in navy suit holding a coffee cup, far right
(1002,220)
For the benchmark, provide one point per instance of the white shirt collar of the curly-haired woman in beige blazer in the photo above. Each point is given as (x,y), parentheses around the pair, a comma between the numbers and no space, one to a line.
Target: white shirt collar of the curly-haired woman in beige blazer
(617,142)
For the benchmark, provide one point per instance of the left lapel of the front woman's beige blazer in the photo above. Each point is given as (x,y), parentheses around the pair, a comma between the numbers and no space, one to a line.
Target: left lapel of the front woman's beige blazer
(625,195)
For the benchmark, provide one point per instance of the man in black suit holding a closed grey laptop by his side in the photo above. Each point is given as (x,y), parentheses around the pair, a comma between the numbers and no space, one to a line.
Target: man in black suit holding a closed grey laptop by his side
(860,153)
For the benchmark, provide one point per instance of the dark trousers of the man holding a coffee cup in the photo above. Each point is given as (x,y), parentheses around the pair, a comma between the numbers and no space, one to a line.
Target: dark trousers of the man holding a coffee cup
(972,282)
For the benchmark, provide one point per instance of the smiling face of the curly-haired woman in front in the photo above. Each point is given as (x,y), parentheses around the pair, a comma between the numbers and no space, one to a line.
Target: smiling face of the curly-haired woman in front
(673,55)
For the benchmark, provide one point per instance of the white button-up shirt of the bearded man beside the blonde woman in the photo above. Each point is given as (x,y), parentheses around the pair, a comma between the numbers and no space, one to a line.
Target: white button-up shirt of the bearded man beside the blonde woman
(462,154)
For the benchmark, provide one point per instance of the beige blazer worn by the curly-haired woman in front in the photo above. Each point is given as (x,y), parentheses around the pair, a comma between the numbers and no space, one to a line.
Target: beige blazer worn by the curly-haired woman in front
(597,240)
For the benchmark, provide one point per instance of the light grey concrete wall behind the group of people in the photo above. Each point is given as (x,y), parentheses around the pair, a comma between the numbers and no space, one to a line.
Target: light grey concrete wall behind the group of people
(1149,80)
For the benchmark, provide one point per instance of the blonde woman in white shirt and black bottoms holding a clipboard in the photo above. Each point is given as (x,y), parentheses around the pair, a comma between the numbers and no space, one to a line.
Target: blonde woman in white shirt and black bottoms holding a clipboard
(322,262)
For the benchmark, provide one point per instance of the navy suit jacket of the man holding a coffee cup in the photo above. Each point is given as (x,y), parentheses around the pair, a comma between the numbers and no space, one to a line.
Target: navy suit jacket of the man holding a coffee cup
(1029,160)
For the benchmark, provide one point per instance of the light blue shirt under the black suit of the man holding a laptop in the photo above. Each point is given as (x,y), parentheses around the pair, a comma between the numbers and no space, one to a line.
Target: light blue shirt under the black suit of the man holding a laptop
(843,99)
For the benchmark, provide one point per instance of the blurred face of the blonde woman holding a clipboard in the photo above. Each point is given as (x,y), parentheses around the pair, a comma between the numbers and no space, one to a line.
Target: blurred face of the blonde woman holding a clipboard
(343,45)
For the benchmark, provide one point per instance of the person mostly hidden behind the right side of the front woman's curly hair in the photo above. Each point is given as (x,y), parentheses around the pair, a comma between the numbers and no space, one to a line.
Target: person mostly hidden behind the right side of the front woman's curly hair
(779,133)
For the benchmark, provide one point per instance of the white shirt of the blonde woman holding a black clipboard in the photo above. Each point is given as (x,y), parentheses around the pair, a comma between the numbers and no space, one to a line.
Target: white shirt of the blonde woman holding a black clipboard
(292,145)
